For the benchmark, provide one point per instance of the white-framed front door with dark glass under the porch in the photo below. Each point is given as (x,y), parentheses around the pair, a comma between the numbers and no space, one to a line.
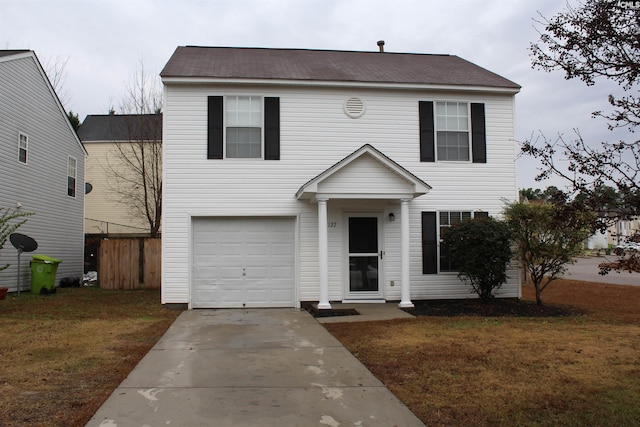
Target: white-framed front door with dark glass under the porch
(364,256)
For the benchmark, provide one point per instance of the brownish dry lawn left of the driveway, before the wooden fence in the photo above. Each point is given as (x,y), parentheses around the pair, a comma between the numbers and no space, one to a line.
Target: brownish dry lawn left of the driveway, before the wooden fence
(64,354)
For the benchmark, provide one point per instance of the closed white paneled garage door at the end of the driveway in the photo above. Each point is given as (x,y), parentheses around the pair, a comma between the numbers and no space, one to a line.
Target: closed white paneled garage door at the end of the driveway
(243,262)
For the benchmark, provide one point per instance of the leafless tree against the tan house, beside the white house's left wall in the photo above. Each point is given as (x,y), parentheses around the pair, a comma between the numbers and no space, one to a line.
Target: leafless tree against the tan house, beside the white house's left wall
(134,168)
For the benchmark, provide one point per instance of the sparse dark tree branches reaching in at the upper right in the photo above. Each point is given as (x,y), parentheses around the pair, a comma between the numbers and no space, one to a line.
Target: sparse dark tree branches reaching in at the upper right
(591,41)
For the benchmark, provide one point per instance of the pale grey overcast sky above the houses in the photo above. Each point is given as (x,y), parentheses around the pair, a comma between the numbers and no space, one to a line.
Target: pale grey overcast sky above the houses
(104,42)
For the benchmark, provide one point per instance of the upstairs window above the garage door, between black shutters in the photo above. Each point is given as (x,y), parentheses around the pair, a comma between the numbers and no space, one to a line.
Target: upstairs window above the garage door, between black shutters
(243,127)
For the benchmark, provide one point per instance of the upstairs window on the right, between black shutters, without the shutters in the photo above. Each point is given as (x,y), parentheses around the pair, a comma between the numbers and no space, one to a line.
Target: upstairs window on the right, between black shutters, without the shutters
(452,130)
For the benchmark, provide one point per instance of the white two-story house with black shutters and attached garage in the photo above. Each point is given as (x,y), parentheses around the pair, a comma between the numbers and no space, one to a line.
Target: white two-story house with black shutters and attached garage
(308,175)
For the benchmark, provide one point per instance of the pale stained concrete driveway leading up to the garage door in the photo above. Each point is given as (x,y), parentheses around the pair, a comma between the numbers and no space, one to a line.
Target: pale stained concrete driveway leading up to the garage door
(254,367)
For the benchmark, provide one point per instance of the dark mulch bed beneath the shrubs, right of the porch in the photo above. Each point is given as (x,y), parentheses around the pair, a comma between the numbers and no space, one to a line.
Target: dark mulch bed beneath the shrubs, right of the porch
(494,308)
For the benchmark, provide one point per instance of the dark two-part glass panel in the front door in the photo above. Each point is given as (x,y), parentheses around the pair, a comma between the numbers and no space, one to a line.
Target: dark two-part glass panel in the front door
(363,254)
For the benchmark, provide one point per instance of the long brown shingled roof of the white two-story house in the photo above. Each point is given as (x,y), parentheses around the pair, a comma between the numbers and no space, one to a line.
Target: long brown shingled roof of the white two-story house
(329,66)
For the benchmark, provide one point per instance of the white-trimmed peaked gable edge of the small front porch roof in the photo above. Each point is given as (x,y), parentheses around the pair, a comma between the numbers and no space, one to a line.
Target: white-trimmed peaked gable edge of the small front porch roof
(310,188)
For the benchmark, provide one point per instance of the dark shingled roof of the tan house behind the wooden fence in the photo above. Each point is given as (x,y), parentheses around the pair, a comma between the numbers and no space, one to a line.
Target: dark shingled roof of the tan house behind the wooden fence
(121,127)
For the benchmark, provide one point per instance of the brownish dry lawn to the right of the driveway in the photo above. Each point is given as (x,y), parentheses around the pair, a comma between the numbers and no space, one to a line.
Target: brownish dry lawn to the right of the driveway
(506,370)
